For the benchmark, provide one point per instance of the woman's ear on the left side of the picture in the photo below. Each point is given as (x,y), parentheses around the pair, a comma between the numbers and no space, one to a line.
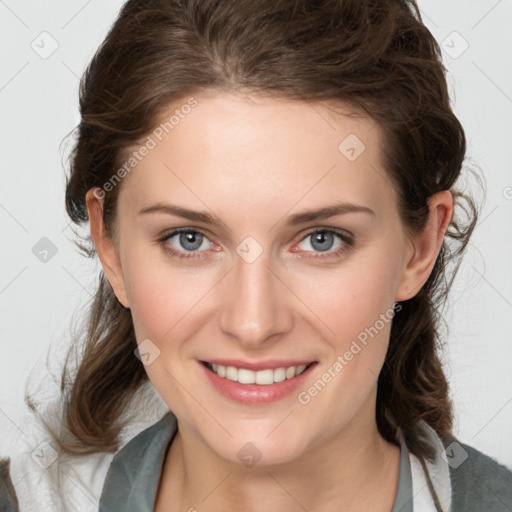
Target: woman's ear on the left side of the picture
(105,245)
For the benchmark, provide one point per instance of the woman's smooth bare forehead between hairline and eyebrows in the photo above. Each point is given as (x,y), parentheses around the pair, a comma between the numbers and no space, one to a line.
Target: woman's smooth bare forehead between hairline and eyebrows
(246,151)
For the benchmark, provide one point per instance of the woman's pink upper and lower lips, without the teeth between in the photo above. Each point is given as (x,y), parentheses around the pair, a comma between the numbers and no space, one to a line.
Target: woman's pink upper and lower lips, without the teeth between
(255,394)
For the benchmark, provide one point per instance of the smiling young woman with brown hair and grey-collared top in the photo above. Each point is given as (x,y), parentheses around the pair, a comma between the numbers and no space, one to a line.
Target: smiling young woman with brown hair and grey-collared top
(271,192)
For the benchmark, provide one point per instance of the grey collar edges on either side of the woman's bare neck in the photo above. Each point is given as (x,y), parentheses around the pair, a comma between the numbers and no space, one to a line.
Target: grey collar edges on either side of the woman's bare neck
(132,479)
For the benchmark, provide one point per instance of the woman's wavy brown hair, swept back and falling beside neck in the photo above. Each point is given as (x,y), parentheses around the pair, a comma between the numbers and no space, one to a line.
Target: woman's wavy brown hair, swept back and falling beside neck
(376,56)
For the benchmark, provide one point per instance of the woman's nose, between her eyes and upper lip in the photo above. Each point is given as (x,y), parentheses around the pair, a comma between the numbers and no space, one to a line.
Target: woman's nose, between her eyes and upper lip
(255,308)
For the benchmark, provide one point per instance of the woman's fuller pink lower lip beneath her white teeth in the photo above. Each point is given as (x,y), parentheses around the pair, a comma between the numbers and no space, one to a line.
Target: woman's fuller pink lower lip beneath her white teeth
(255,393)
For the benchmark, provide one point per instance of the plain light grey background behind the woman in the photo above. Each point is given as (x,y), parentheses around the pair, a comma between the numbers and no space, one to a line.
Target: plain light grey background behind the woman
(39,106)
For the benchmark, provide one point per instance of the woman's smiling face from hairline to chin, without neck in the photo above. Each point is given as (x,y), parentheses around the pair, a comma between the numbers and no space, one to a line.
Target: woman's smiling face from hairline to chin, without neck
(259,287)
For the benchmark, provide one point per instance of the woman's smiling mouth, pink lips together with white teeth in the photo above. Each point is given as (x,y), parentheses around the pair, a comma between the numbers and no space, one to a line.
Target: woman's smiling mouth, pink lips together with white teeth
(256,383)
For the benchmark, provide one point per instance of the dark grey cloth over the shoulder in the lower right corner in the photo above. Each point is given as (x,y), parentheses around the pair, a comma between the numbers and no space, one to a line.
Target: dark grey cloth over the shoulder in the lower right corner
(478,481)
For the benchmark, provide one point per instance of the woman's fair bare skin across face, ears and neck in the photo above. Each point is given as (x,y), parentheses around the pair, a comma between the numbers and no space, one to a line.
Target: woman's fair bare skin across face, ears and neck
(252,162)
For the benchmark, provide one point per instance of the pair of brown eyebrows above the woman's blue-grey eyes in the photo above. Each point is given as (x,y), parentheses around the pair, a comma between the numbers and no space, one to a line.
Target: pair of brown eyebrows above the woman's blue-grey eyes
(293,220)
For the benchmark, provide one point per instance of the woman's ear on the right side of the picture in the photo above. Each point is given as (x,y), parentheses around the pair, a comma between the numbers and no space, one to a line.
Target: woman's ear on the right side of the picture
(423,247)
